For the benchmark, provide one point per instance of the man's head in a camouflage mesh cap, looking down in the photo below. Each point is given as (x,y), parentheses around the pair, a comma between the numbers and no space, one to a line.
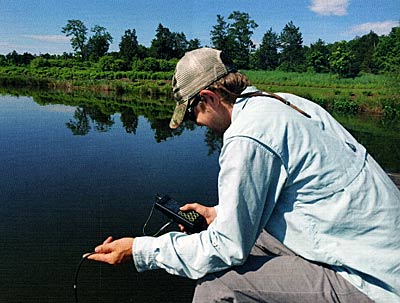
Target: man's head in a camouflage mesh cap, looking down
(204,77)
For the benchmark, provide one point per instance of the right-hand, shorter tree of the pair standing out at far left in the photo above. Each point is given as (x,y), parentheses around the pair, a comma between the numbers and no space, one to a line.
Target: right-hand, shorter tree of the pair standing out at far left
(99,43)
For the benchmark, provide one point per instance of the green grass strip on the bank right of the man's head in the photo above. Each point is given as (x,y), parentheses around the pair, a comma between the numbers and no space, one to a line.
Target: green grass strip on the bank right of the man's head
(372,93)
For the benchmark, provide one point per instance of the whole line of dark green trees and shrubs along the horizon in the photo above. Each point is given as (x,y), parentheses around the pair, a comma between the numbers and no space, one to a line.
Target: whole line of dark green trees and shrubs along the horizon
(283,51)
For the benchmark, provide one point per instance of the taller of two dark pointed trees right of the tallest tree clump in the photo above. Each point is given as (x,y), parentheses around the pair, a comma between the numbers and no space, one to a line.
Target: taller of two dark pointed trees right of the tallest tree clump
(292,54)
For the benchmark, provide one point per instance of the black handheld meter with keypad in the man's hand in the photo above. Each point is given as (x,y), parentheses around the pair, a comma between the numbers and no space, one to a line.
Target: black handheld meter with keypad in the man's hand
(191,220)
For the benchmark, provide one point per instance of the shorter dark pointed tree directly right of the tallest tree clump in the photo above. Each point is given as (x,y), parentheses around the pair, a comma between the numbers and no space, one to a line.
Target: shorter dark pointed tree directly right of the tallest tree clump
(266,56)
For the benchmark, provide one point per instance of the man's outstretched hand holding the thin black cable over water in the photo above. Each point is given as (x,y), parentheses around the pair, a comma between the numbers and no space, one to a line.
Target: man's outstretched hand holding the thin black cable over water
(113,251)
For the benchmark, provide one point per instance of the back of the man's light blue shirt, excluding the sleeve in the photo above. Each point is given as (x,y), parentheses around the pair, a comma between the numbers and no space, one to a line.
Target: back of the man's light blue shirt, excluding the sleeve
(337,206)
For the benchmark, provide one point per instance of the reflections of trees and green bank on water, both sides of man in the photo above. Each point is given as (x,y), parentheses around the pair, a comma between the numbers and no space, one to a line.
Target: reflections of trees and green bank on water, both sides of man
(96,112)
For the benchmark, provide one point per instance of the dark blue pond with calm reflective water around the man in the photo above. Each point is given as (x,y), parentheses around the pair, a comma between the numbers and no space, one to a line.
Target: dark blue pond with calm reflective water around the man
(74,173)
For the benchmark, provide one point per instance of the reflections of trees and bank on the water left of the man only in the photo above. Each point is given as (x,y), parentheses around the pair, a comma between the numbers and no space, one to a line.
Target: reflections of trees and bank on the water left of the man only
(96,112)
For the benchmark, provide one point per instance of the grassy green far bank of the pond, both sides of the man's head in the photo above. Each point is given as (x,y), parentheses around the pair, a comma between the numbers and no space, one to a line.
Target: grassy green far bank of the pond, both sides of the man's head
(367,93)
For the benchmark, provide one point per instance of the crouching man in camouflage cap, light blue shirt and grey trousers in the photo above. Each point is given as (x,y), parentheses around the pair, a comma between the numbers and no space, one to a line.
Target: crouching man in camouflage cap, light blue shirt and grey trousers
(304,213)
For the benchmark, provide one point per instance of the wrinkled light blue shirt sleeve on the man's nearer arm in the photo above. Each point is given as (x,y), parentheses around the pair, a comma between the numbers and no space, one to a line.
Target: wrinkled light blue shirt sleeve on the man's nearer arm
(249,183)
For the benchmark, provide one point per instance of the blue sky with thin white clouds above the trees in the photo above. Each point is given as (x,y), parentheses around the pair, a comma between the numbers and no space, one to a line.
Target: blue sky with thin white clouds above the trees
(35,26)
